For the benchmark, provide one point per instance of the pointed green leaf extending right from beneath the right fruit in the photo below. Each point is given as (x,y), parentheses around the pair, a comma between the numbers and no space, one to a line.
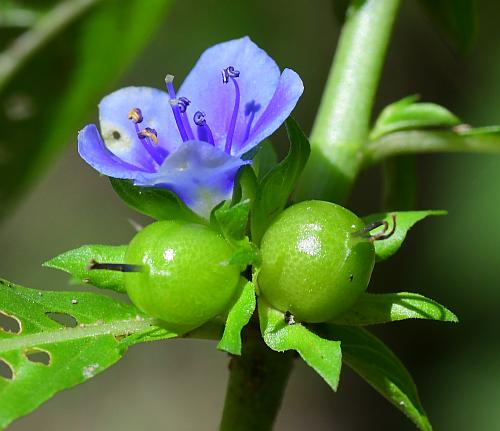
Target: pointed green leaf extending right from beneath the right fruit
(376,308)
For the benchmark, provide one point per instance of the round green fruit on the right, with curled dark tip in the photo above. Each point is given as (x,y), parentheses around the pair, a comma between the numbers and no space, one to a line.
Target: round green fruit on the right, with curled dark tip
(313,263)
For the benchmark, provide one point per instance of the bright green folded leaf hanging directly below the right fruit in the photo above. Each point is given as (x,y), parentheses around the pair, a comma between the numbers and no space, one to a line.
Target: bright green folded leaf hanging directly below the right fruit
(324,356)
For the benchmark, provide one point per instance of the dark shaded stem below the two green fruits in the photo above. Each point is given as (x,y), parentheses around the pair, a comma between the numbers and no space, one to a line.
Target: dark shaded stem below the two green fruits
(256,385)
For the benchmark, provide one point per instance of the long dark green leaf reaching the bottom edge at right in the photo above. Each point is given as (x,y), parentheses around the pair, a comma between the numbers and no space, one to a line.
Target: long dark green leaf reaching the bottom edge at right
(378,365)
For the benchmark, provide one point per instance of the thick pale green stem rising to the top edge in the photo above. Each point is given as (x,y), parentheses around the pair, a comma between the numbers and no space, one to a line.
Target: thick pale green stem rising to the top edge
(342,123)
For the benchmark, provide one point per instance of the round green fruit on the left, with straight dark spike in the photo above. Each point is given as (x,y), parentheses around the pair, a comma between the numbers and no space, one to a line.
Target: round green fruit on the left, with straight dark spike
(186,278)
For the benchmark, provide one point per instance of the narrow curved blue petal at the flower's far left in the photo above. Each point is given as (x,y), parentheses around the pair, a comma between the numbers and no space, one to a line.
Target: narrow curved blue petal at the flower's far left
(92,149)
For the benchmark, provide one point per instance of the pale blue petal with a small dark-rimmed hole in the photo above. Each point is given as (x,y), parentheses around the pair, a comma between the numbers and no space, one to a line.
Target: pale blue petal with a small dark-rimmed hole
(157,114)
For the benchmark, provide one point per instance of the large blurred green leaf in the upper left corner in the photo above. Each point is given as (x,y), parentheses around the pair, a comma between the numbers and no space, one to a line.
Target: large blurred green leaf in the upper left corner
(56,72)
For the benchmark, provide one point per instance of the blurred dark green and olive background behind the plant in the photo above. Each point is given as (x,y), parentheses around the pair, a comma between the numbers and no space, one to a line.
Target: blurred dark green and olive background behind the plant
(180,384)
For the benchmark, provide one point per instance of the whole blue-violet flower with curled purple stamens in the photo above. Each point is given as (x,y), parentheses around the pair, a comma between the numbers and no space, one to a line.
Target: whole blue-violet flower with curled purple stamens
(192,141)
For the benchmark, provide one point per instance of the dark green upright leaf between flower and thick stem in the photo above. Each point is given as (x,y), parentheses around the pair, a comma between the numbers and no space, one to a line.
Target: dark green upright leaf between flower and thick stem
(276,187)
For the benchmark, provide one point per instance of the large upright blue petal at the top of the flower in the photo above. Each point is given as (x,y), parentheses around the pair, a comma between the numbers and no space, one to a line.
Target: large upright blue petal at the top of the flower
(258,80)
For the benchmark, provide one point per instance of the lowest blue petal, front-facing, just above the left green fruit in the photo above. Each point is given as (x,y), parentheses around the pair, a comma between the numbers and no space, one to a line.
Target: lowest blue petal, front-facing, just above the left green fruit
(200,174)
